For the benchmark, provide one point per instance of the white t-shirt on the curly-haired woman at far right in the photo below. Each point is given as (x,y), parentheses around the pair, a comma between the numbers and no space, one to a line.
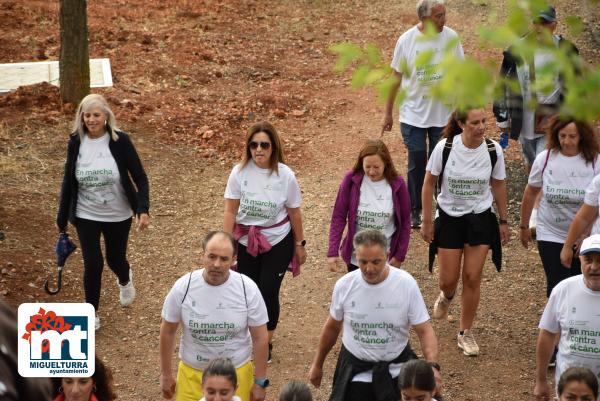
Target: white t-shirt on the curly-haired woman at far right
(563,187)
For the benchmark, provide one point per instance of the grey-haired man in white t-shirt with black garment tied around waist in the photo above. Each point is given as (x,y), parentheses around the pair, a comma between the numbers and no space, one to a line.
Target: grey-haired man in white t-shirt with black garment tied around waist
(375,306)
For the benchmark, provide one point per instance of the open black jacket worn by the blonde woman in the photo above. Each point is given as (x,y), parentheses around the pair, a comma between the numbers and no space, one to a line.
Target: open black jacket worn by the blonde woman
(130,168)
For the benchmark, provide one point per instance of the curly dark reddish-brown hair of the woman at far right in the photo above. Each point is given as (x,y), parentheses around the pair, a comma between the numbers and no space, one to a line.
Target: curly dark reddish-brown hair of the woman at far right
(588,144)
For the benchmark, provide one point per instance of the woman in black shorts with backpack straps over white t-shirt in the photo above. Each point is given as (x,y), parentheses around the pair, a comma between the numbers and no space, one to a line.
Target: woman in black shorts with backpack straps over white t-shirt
(469,172)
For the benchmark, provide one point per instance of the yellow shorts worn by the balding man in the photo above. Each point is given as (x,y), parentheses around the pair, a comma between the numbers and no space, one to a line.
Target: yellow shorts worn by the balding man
(189,382)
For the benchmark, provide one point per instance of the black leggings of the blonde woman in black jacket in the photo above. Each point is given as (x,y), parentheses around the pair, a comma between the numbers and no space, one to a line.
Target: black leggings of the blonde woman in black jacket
(115,244)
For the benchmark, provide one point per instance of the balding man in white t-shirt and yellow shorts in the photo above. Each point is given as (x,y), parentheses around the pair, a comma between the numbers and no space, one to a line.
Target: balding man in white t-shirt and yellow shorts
(222,314)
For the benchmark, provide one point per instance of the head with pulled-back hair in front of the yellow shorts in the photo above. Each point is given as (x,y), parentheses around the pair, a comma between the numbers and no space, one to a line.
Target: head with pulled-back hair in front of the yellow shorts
(219,380)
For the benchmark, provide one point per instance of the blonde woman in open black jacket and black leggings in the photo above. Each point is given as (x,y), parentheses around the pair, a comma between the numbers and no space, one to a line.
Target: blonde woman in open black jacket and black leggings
(103,182)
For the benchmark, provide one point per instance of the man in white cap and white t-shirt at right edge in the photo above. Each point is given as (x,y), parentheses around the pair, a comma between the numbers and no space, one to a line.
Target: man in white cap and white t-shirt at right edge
(572,315)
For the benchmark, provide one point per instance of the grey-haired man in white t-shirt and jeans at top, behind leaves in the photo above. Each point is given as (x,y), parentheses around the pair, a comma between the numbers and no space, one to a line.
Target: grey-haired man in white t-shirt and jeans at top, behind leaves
(421,117)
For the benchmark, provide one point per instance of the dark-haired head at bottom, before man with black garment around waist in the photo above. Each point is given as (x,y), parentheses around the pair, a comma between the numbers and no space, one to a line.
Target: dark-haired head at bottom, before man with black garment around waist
(416,381)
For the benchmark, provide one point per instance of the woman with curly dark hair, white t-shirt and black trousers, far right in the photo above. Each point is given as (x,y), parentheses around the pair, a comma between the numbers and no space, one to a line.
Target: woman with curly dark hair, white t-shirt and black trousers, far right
(561,173)
